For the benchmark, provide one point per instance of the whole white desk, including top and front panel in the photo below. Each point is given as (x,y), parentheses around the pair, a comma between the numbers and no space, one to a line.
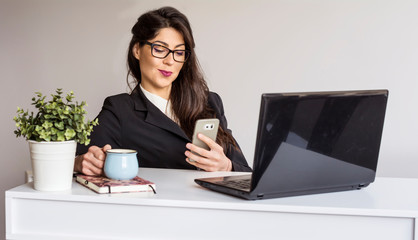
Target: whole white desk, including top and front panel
(387,209)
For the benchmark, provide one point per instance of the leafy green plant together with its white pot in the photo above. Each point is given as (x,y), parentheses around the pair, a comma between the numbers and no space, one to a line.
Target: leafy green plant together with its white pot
(53,134)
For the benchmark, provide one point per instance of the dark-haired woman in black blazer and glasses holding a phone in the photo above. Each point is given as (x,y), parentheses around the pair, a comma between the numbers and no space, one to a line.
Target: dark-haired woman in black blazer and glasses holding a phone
(158,117)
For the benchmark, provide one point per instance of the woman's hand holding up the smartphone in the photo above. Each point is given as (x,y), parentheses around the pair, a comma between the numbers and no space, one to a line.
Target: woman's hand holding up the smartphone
(209,160)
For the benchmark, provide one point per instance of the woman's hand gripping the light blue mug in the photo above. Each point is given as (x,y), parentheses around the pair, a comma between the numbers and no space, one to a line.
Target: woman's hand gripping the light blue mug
(92,162)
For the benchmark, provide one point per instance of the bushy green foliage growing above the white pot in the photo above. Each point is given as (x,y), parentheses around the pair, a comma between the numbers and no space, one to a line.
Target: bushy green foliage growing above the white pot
(56,120)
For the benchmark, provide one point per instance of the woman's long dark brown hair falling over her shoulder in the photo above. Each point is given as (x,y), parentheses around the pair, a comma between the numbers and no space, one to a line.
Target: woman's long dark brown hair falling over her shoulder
(189,92)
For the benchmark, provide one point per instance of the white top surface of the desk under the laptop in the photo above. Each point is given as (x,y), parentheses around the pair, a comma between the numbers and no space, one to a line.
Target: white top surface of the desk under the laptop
(397,197)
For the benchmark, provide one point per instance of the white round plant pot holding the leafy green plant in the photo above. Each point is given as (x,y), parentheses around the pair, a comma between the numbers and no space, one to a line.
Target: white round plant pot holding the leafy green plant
(52,164)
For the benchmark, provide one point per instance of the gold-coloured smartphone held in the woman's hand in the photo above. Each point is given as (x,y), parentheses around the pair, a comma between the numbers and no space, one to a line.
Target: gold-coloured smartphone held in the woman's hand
(209,128)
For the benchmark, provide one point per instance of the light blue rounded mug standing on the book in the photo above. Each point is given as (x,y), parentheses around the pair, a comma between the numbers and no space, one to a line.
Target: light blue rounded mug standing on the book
(121,164)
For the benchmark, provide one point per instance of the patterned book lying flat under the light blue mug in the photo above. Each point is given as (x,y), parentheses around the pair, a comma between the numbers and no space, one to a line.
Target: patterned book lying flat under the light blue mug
(106,185)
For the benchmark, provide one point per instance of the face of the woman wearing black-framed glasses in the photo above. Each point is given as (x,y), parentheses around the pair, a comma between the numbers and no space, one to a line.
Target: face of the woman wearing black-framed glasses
(158,74)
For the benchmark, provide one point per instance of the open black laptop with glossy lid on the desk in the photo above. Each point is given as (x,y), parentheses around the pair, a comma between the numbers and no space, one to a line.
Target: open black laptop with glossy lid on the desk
(309,143)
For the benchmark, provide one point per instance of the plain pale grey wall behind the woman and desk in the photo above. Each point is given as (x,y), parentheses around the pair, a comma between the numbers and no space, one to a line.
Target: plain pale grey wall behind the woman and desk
(245,48)
